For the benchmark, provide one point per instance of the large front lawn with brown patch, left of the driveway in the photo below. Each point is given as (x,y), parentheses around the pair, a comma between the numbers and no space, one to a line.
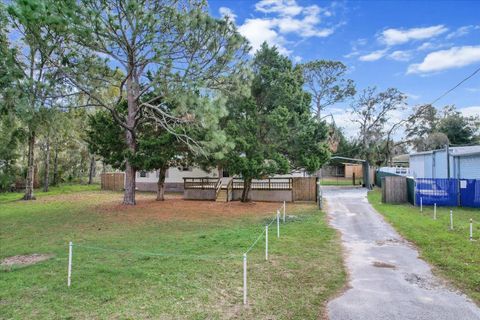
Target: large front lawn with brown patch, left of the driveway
(304,268)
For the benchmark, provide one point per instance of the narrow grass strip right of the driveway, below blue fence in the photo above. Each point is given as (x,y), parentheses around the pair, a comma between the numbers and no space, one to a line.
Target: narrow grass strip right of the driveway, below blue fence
(450,252)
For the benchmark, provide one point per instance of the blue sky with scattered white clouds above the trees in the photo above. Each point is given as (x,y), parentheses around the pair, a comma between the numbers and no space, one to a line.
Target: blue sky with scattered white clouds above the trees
(422,48)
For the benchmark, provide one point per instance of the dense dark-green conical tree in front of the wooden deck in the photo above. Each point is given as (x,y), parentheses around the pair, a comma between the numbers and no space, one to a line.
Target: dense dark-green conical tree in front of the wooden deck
(272,128)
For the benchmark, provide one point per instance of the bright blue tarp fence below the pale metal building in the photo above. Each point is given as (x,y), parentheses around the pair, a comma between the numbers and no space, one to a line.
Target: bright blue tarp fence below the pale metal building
(448,192)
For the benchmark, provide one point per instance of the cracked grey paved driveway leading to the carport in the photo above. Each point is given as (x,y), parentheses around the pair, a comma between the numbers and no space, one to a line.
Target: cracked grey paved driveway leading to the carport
(387,279)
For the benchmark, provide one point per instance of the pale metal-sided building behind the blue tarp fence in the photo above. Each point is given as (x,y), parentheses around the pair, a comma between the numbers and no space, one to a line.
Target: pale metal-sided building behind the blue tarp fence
(453,162)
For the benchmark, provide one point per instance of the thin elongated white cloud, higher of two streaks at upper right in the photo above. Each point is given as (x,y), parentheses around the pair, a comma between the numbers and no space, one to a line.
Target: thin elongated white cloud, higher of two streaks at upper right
(399,36)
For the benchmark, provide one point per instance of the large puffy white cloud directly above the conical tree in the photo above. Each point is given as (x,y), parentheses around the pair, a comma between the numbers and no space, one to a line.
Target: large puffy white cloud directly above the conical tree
(284,17)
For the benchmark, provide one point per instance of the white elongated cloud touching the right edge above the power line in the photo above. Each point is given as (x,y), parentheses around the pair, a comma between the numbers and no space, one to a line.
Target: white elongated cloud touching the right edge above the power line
(455,57)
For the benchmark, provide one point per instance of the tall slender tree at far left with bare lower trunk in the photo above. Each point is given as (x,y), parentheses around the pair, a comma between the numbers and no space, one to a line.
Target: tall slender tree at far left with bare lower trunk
(35,49)
